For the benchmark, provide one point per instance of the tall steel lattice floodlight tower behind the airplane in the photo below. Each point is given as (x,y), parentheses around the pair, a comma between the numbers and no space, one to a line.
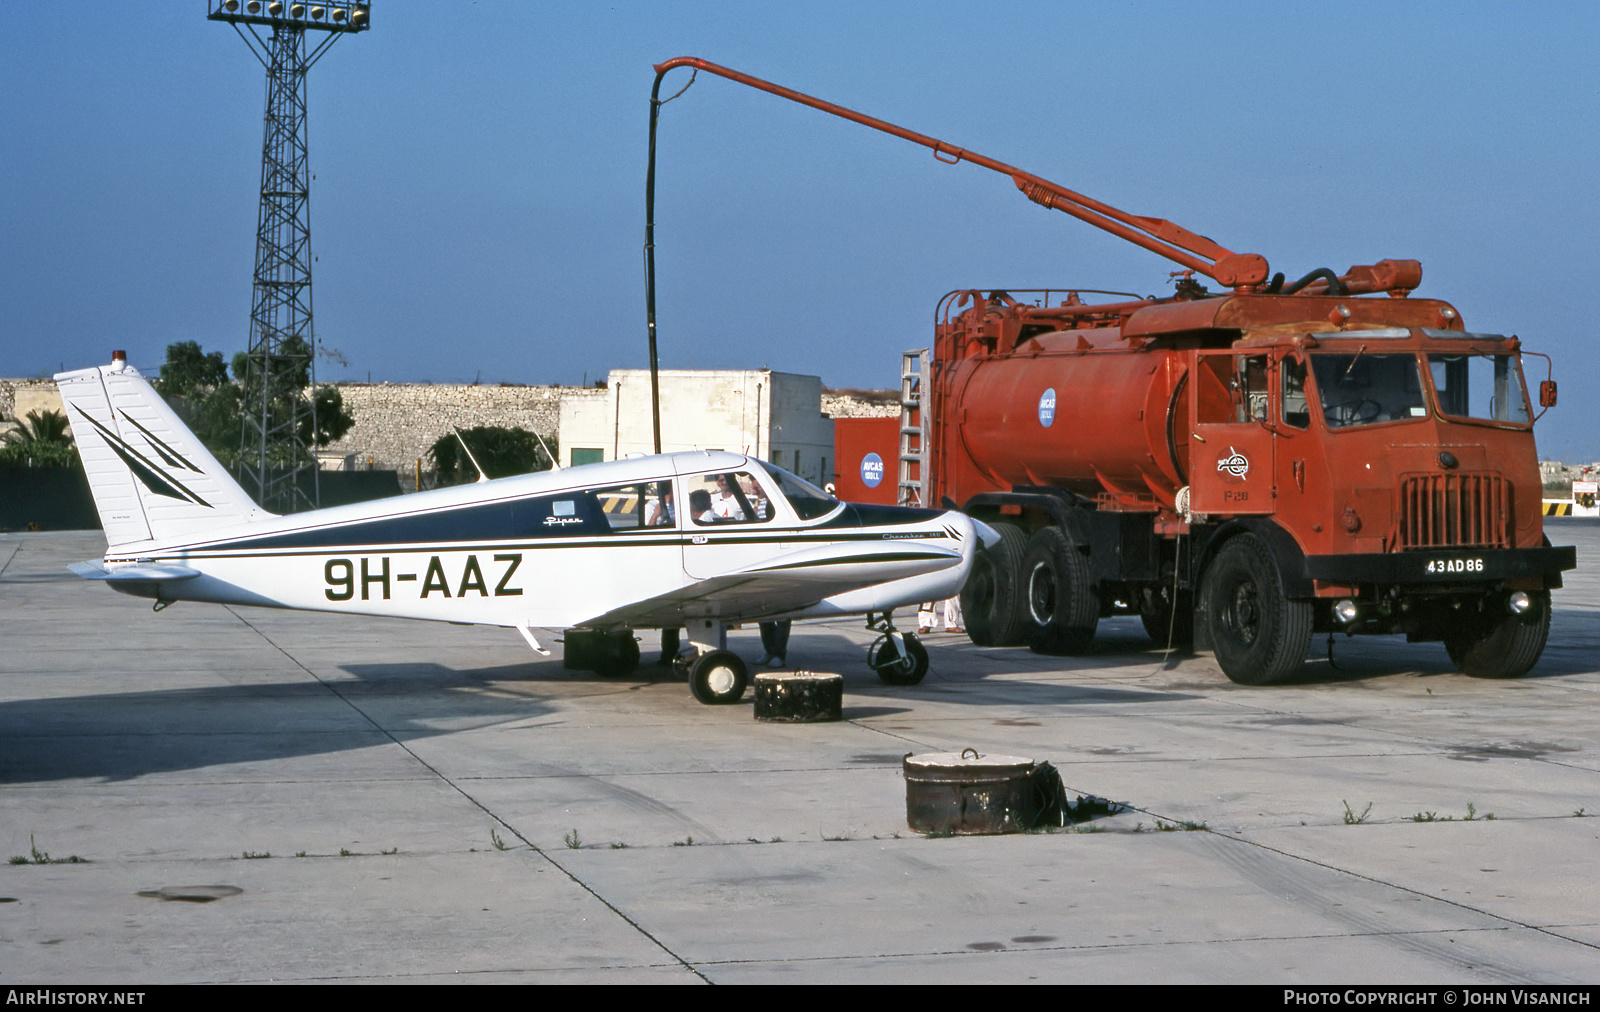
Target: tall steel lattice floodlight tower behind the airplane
(281,420)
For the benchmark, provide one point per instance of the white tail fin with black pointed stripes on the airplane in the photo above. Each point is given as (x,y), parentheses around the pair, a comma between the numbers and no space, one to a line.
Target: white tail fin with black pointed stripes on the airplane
(150,475)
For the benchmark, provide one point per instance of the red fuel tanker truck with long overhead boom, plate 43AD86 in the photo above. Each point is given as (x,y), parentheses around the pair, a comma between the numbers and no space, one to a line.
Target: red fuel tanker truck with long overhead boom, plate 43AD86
(1242,468)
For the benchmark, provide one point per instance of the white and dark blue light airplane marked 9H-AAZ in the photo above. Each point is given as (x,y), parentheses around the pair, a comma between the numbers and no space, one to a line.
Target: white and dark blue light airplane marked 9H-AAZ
(698,540)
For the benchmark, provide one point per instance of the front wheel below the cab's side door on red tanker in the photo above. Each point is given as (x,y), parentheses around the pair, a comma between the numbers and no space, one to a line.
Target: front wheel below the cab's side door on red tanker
(1260,637)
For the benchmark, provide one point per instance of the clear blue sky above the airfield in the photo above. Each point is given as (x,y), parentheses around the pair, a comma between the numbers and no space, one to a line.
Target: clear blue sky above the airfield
(479,198)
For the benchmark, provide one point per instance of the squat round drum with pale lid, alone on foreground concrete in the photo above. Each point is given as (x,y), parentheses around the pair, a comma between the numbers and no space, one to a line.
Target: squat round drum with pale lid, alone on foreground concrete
(969,793)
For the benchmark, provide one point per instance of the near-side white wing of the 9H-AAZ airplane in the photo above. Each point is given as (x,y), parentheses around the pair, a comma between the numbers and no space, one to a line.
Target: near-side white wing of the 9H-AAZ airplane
(785,584)
